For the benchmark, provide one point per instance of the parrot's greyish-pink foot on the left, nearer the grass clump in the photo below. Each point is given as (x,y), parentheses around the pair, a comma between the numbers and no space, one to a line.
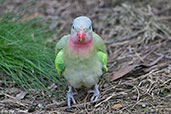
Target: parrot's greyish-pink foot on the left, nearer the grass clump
(70,96)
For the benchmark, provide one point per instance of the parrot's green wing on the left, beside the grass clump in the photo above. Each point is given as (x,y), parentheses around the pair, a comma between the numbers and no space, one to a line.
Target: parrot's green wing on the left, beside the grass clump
(59,62)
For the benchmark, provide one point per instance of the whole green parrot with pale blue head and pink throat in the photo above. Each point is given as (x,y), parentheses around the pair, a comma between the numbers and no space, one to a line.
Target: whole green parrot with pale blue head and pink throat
(81,58)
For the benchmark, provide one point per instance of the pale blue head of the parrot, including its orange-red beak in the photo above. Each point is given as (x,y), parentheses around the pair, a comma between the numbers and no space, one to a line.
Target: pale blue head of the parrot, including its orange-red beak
(82,27)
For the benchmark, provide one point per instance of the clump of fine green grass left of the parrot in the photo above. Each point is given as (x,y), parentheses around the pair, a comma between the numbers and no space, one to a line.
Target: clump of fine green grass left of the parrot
(24,55)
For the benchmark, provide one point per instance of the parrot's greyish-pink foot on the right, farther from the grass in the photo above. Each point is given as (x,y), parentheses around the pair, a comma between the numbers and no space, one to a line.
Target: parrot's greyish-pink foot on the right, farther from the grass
(96,93)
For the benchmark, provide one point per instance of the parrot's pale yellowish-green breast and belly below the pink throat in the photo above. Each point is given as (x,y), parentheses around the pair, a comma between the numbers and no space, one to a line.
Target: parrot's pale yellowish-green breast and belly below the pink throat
(83,67)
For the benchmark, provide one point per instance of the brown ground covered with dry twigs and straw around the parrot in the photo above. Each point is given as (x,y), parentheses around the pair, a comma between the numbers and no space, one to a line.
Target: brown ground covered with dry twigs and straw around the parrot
(138,39)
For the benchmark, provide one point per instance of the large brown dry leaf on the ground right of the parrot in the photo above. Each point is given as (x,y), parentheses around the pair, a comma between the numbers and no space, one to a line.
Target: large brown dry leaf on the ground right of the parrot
(122,72)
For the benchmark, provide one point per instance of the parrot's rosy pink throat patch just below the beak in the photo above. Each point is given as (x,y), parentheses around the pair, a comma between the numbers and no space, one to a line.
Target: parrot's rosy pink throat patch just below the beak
(80,47)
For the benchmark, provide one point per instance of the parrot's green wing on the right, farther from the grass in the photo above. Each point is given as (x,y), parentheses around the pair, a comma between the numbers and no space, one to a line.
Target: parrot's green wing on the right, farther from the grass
(101,50)
